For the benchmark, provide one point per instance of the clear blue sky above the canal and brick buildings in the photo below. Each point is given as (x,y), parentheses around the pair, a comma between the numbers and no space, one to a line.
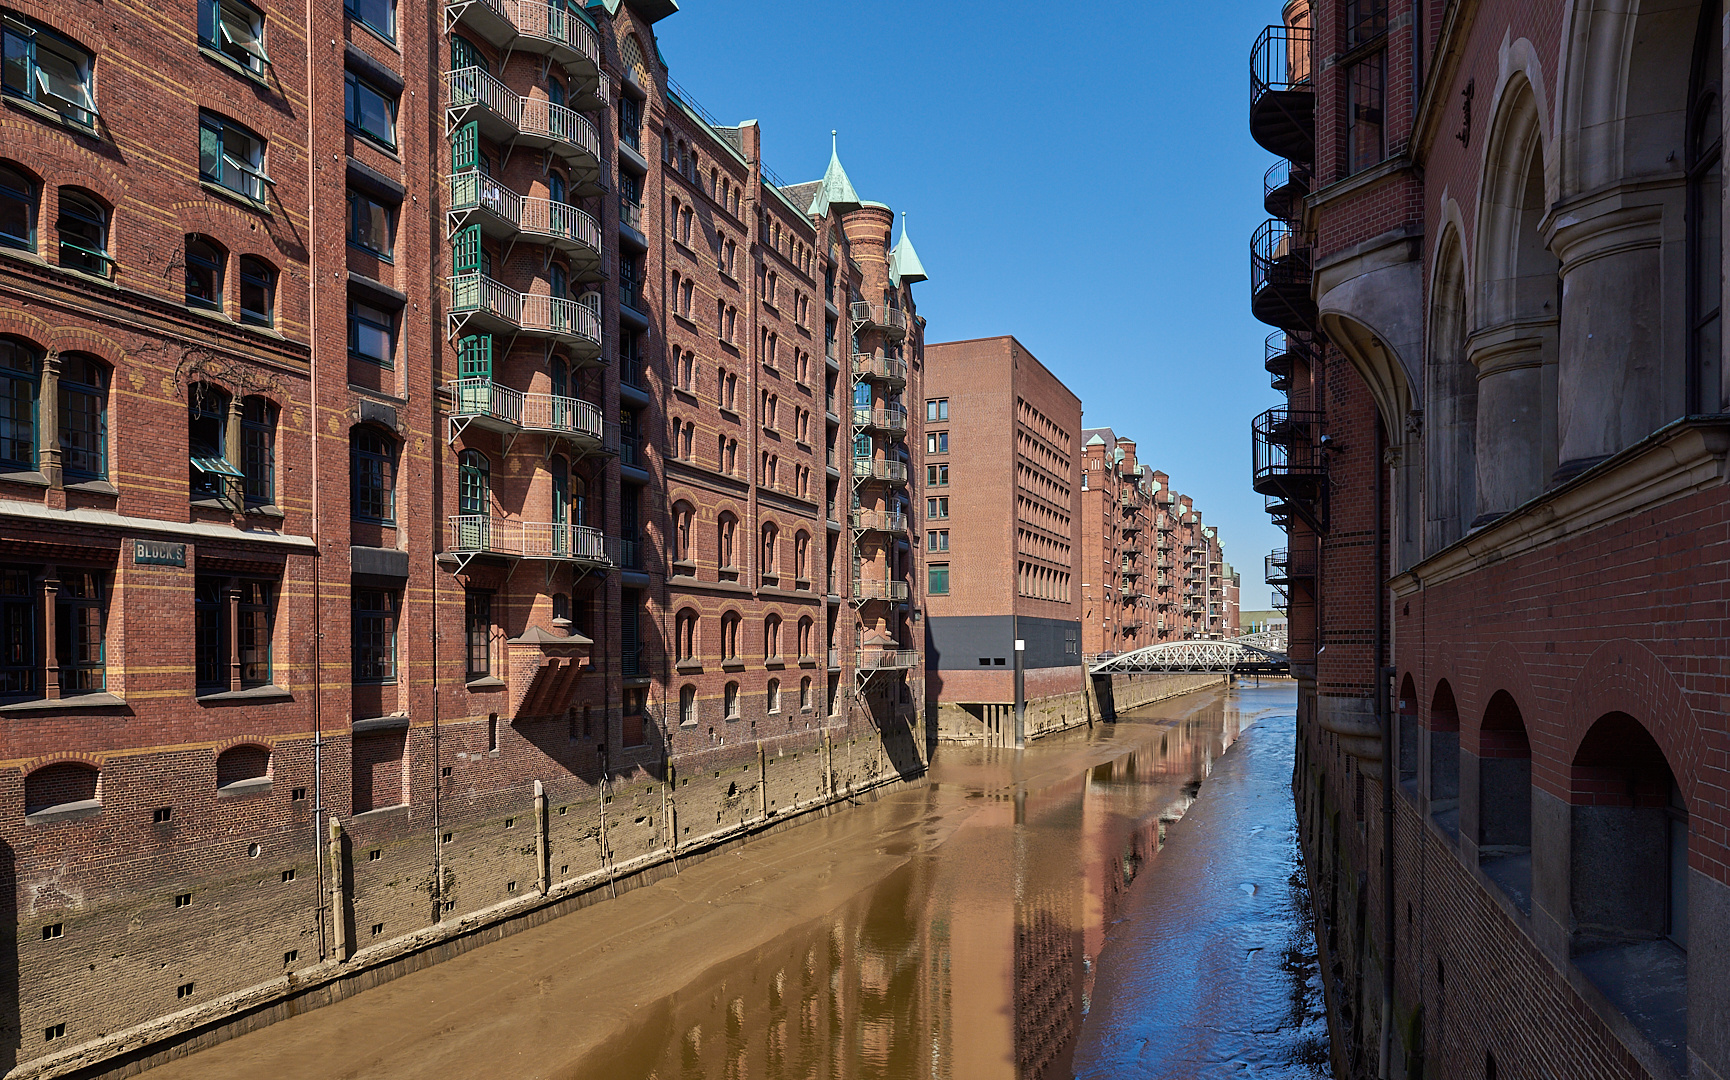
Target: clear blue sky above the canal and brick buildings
(1077,176)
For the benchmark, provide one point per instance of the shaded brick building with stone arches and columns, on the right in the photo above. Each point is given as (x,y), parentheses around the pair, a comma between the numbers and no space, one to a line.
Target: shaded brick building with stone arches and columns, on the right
(1494,264)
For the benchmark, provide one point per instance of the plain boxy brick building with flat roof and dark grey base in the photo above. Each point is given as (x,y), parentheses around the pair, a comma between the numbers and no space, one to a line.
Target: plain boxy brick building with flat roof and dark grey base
(1003,498)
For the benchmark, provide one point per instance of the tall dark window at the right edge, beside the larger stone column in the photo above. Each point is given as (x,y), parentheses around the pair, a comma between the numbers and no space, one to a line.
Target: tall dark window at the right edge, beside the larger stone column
(1707,214)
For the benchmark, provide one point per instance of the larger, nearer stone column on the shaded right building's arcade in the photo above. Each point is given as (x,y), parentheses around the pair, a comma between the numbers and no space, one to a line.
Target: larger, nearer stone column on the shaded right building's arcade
(1611,342)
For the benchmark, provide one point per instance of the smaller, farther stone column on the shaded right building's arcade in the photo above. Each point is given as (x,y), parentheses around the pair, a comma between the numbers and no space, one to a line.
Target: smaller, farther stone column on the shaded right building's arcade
(1511,432)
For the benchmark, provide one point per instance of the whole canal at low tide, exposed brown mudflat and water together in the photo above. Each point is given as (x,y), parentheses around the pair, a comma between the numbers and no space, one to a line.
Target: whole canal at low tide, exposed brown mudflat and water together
(977,925)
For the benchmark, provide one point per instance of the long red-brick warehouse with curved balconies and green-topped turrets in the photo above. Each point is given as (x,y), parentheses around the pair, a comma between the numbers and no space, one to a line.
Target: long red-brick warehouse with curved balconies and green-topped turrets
(511,544)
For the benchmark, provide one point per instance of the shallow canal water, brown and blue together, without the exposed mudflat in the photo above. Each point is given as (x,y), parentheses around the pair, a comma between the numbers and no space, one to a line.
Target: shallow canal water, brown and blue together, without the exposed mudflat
(984,955)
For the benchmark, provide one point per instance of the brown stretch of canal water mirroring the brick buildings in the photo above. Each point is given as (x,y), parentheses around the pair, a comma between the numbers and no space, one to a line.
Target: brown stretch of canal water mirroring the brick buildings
(978,956)
